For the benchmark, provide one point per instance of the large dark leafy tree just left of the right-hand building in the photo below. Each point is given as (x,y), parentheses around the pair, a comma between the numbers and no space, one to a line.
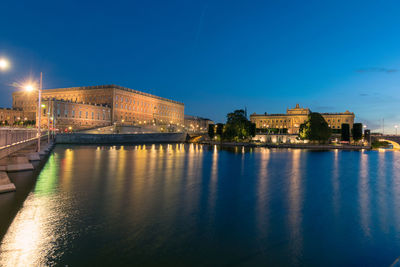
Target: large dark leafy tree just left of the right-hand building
(238,127)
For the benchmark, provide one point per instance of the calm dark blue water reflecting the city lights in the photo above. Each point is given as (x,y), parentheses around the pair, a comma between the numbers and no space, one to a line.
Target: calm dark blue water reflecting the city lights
(188,205)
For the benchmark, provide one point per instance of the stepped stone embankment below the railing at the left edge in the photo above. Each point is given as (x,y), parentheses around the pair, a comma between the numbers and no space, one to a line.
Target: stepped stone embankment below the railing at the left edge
(21,160)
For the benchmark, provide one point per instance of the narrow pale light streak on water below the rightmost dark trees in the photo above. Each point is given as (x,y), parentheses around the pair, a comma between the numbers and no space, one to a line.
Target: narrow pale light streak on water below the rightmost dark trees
(364,193)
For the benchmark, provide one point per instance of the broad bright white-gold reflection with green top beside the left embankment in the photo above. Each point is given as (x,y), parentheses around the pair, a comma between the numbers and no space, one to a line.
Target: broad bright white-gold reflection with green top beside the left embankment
(31,237)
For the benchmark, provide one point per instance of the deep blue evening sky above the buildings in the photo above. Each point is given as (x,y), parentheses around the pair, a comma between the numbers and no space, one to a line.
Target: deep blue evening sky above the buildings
(215,56)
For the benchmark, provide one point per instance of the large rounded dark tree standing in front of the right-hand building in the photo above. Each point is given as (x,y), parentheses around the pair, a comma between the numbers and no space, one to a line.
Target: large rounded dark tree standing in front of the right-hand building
(315,128)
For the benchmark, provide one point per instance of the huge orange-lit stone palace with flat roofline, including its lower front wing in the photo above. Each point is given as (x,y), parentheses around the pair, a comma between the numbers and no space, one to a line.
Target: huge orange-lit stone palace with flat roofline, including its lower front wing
(92,106)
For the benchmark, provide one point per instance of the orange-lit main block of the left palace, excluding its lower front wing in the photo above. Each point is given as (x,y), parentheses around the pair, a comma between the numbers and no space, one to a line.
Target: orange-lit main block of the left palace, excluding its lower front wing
(127,106)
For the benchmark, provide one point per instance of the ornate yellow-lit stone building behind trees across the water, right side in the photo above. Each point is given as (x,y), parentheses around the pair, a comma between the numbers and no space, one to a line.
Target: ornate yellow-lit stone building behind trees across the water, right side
(294,117)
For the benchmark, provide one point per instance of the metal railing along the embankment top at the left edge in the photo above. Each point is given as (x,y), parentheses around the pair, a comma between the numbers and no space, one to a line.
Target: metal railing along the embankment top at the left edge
(12,136)
